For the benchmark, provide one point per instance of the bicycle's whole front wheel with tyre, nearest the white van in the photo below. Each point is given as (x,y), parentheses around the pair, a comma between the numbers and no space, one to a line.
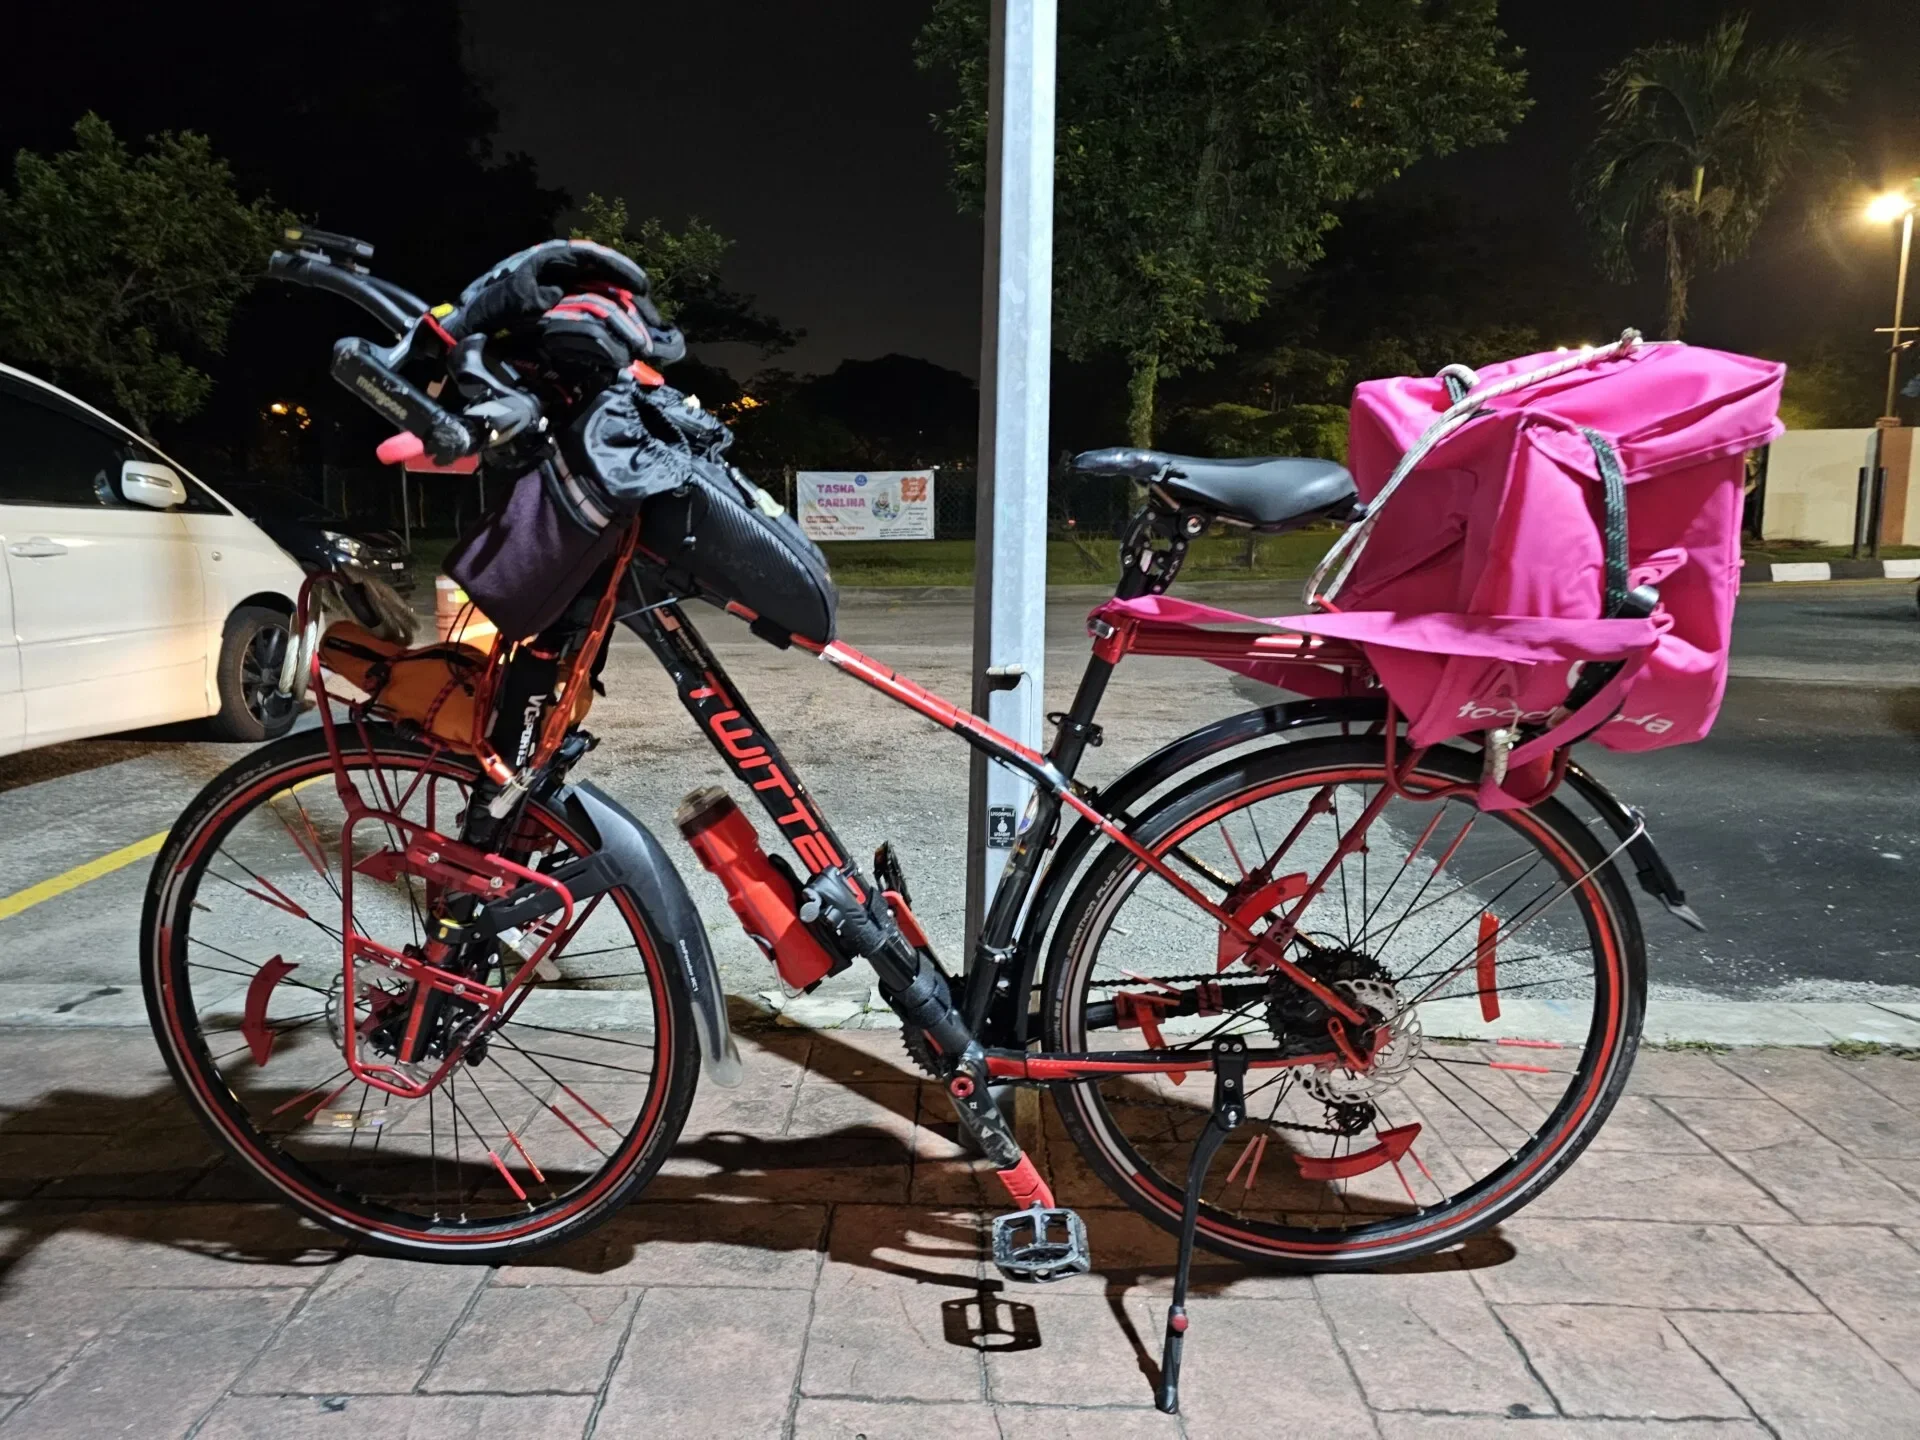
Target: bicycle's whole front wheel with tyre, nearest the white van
(540,1130)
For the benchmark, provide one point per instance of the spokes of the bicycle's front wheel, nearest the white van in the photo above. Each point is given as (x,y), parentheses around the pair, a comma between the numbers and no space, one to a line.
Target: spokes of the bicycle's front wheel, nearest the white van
(450,1155)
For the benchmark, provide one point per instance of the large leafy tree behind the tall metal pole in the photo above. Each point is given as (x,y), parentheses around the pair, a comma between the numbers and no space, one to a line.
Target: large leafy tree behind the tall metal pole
(1207,143)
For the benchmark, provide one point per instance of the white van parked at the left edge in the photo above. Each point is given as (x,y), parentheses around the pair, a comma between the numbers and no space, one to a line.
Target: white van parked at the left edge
(133,594)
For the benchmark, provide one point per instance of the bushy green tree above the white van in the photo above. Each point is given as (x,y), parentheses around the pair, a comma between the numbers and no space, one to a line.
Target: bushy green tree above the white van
(116,268)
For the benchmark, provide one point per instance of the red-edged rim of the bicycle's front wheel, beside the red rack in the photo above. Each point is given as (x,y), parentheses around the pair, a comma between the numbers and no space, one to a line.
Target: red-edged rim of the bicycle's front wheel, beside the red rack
(533,1134)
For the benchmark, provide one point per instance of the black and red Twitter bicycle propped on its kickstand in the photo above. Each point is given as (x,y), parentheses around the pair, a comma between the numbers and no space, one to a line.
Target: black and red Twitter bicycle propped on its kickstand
(377,961)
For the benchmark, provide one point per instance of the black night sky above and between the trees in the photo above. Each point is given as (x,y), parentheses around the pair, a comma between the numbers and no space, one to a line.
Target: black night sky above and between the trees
(802,132)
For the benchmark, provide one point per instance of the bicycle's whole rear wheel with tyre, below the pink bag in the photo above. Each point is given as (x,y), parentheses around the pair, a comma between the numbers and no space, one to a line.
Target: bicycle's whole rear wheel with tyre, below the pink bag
(1499,951)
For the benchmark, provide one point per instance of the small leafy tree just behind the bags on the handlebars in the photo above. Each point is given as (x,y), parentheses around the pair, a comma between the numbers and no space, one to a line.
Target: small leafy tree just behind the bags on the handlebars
(684,272)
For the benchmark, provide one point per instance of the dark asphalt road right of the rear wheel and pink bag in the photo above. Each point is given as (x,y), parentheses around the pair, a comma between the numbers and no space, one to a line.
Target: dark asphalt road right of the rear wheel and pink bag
(1796,827)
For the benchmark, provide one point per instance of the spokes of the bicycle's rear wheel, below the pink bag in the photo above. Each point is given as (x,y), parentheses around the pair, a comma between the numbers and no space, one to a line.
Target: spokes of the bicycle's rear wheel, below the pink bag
(1387,919)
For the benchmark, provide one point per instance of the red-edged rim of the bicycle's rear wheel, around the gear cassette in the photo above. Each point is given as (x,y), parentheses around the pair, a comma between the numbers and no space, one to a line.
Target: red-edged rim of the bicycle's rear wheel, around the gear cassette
(1477,1105)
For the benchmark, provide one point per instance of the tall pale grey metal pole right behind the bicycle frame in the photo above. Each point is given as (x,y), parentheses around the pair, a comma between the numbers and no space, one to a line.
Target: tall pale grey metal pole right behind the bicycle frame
(1015,375)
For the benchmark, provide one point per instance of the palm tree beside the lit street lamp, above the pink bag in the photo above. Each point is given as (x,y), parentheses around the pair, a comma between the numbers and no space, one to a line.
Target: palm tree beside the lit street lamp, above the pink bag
(1696,143)
